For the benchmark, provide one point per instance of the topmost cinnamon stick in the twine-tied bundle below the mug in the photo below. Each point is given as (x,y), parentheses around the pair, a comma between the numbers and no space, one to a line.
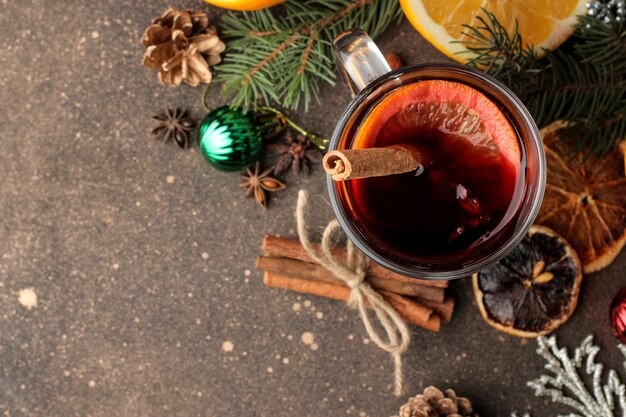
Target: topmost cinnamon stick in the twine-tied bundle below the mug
(291,248)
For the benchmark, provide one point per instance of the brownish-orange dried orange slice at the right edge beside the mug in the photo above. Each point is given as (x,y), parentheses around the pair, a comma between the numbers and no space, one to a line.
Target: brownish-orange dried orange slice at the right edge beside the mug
(585,202)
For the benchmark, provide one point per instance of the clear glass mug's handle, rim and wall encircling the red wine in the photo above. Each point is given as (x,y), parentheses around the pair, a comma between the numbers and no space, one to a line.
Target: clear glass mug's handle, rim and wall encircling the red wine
(371,80)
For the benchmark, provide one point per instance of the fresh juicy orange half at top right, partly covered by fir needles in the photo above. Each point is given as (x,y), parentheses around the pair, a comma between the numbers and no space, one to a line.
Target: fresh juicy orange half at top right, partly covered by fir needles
(541,23)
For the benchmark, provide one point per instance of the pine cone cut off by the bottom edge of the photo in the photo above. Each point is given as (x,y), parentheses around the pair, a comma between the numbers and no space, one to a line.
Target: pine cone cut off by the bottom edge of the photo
(434,403)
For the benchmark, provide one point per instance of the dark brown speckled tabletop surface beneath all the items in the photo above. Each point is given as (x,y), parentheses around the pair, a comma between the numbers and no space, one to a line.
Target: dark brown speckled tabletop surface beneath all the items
(141,255)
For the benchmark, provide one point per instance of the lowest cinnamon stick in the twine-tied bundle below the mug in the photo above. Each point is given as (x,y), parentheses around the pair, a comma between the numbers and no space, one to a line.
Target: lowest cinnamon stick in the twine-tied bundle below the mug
(408,309)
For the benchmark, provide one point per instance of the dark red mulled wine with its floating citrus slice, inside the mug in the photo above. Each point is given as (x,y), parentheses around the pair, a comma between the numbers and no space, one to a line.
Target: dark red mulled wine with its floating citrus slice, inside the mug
(466,192)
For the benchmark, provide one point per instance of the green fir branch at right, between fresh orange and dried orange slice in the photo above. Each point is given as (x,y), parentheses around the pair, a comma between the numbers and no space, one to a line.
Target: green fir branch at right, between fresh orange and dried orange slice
(583,83)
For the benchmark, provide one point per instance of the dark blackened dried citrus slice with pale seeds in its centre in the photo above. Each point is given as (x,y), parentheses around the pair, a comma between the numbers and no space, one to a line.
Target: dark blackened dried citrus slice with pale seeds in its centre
(534,289)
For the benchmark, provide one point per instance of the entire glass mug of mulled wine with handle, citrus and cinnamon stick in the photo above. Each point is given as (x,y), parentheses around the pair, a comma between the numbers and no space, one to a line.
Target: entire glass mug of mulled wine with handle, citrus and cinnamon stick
(434,170)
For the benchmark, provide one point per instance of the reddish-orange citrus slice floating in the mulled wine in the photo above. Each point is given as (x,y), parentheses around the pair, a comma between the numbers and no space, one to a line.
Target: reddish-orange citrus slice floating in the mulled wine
(474,127)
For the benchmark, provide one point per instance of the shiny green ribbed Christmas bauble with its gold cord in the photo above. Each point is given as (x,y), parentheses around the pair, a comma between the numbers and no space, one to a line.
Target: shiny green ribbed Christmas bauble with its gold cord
(232,140)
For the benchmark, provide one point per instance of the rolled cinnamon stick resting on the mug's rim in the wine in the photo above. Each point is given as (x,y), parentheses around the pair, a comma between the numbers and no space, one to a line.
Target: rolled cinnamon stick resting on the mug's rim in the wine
(351,164)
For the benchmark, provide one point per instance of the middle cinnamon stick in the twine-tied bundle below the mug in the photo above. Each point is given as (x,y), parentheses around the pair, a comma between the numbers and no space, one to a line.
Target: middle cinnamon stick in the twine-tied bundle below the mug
(311,271)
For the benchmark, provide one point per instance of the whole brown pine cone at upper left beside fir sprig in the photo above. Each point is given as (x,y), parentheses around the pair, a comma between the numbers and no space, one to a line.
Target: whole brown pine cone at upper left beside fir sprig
(182,45)
